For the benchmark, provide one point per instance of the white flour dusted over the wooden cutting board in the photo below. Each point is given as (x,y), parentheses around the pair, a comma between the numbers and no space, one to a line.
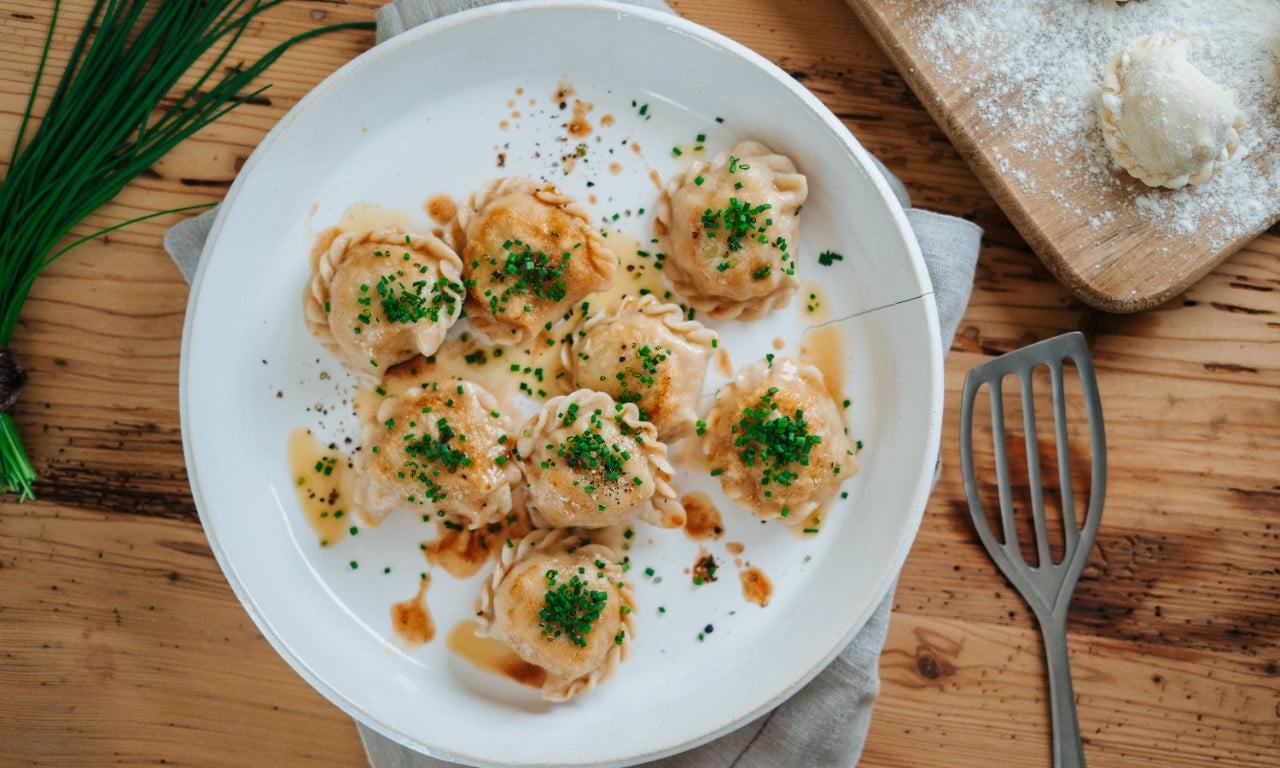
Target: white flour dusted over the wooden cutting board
(1034,70)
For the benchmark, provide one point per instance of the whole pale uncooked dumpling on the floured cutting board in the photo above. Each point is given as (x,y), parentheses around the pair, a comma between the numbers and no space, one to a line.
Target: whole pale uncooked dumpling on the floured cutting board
(1164,121)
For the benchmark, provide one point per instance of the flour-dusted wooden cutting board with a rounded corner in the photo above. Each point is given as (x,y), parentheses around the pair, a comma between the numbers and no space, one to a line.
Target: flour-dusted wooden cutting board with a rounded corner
(1014,85)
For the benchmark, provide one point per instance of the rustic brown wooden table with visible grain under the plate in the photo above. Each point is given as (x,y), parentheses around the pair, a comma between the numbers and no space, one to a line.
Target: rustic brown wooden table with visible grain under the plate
(121,642)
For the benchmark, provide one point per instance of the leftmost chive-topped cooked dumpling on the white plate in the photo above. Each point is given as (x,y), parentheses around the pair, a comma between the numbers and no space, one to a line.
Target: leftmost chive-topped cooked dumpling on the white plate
(378,299)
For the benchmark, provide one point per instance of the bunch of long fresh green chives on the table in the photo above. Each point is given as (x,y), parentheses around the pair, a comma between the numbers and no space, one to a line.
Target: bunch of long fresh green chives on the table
(116,112)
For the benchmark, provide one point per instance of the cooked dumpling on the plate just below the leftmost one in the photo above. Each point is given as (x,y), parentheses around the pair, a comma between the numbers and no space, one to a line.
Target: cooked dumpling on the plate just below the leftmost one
(444,447)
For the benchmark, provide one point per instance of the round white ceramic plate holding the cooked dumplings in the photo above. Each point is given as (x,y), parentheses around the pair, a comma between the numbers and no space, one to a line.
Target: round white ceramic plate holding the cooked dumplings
(431,112)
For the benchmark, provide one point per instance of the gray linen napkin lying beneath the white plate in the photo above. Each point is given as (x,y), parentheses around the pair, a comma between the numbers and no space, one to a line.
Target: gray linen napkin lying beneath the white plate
(825,724)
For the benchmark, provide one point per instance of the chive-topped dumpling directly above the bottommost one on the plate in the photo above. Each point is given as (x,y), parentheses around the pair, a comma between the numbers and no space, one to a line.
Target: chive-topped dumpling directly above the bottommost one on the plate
(592,463)
